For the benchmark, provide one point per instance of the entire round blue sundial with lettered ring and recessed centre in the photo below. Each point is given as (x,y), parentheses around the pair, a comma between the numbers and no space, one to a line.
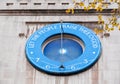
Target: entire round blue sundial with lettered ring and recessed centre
(63,48)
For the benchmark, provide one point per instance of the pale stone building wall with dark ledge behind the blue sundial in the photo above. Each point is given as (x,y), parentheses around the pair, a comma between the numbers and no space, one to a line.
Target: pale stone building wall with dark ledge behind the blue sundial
(21,18)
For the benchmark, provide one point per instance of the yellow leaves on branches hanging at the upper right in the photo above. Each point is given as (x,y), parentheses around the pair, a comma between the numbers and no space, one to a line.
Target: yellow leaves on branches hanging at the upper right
(99,6)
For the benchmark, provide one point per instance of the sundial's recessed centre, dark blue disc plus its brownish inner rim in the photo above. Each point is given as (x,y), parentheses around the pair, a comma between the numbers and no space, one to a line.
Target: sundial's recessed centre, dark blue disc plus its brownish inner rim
(63,50)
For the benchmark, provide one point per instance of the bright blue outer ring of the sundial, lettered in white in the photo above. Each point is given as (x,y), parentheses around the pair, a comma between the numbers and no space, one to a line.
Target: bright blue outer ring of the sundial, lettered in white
(85,59)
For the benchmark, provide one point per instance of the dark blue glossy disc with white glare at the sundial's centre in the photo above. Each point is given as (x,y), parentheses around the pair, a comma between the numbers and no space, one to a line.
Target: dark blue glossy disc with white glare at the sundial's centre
(70,50)
